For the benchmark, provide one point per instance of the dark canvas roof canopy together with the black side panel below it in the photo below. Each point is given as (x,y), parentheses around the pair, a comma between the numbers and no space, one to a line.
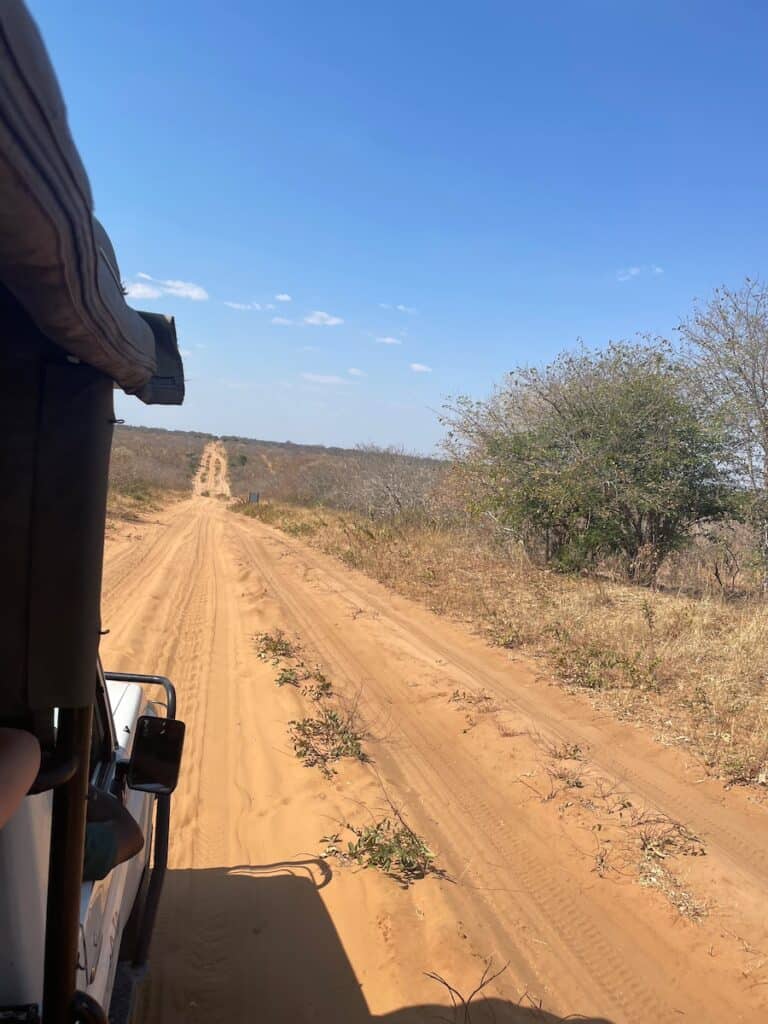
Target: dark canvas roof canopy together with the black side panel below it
(67,336)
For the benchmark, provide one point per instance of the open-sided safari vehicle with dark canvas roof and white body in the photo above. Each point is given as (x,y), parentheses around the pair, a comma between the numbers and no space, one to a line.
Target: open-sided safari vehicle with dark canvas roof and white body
(89,760)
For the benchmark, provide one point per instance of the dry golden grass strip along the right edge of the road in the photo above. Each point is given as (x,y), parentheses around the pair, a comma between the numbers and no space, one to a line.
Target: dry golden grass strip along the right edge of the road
(693,668)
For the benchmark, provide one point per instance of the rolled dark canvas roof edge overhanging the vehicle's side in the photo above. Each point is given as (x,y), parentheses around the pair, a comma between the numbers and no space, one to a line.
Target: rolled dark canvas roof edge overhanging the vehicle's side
(56,259)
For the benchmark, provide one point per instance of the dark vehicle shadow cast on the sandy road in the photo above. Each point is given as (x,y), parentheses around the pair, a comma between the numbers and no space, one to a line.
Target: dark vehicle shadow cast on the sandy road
(248,944)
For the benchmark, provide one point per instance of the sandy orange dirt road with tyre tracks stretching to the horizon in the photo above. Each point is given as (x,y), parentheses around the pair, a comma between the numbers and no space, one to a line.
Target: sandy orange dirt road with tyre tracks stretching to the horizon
(576,849)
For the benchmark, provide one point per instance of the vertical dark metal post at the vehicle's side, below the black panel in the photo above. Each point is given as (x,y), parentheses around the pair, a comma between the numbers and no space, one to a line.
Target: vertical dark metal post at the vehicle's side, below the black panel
(66,871)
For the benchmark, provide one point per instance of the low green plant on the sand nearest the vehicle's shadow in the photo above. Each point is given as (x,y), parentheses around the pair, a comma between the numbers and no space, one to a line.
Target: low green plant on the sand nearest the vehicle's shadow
(390,845)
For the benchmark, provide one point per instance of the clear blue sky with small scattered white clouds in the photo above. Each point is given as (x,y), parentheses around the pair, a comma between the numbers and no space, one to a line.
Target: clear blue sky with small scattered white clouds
(480,184)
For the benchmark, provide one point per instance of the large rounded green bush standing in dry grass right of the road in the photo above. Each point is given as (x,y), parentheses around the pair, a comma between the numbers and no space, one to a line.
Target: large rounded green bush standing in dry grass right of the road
(601,454)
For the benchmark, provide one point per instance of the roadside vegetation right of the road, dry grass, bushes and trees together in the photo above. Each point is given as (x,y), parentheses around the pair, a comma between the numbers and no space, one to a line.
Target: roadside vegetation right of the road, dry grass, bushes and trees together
(608,515)
